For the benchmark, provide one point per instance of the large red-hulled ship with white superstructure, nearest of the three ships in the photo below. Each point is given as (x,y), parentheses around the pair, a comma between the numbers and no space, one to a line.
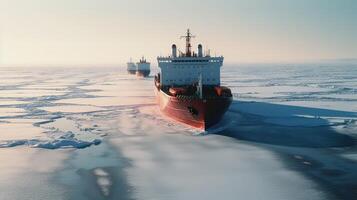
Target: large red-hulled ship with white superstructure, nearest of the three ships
(188,87)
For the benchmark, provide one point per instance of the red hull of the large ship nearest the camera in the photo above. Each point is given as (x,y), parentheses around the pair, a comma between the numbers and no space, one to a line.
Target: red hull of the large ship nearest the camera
(195,112)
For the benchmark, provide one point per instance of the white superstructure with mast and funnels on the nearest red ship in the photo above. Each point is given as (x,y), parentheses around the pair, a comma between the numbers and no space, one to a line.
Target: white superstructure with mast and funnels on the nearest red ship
(190,67)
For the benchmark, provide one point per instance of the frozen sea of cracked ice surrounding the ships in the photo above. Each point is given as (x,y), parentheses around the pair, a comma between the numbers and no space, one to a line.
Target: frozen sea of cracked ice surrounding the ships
(96,133)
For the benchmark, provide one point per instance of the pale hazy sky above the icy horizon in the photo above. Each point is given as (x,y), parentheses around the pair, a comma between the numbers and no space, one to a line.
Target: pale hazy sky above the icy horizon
(90,32)
